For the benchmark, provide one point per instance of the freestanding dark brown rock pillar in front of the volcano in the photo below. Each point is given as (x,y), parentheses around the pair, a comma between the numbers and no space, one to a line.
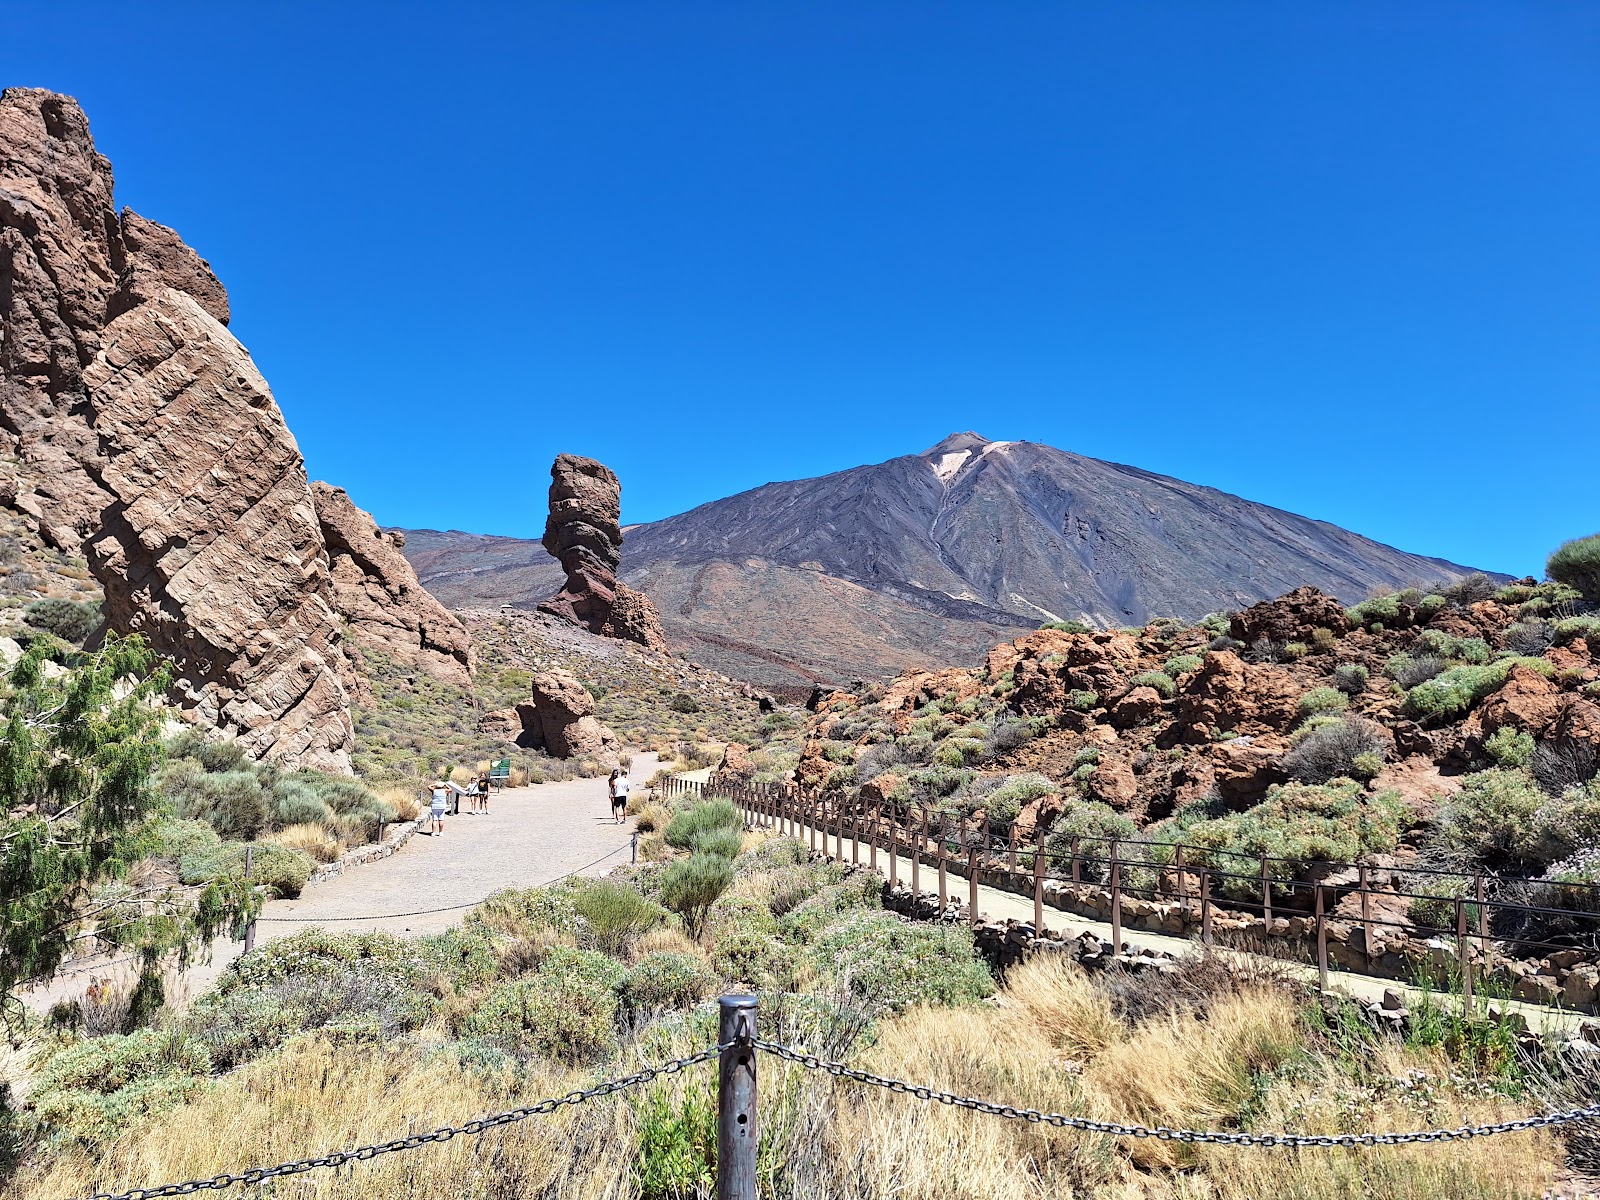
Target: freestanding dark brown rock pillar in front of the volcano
(585,534)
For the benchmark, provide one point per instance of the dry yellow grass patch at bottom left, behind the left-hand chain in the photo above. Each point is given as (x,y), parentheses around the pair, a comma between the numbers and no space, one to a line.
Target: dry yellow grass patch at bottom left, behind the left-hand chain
(318,1097)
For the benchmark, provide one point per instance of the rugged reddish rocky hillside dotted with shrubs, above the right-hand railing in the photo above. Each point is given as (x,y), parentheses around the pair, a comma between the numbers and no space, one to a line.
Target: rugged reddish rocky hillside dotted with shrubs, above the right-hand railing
(1458,730)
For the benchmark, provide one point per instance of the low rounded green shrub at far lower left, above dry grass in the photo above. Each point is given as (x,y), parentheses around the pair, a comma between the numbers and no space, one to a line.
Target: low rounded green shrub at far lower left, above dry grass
(100,1087)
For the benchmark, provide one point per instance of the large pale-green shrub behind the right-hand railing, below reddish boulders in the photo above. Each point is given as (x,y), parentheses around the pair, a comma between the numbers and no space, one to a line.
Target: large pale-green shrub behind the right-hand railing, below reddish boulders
(1303,825)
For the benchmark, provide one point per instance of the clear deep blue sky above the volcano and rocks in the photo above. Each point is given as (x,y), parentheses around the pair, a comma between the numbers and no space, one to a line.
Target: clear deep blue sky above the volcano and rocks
(1343,258)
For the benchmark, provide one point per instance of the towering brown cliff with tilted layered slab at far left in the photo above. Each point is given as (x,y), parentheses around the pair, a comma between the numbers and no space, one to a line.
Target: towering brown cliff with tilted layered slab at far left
(146,439)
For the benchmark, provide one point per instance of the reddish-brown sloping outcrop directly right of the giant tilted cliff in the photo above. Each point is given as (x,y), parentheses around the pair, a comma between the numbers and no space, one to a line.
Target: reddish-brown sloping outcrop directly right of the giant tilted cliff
(377,593)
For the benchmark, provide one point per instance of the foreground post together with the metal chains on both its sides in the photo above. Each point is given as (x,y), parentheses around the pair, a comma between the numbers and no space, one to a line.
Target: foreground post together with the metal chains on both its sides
(738,1132)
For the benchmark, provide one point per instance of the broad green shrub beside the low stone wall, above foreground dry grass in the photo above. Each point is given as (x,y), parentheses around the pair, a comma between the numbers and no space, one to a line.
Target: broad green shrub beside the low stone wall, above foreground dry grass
(890,966)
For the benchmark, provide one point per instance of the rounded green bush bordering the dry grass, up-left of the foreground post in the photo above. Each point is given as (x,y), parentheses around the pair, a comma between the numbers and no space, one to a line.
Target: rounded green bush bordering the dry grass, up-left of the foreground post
(566,1010)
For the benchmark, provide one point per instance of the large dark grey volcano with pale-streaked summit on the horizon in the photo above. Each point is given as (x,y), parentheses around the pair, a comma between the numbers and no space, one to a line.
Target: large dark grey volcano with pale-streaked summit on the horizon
(934,558)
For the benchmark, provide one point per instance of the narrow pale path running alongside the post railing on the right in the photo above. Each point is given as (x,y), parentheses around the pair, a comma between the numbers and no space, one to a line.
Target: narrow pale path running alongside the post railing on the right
(1009,906)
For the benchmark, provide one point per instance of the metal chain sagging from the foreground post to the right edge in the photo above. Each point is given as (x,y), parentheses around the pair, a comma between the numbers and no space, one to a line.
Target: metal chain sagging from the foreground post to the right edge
(1161,1132)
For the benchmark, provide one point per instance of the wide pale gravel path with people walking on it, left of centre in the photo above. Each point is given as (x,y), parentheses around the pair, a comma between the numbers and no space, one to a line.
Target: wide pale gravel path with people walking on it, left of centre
(532,836)
